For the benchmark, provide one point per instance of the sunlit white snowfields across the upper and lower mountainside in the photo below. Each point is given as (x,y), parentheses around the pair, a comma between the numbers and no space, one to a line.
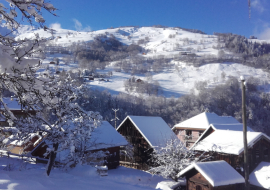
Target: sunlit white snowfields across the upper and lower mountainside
(168,42)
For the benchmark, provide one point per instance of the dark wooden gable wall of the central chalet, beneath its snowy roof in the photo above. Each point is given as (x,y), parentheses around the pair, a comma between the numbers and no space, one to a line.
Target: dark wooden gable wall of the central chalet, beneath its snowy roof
(142,149)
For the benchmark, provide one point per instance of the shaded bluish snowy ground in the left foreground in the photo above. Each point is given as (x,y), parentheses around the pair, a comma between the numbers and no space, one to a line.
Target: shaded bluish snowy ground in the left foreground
(32,177)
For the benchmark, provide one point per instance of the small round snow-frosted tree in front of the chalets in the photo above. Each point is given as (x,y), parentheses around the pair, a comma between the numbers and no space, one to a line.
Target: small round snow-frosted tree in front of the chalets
(174,157)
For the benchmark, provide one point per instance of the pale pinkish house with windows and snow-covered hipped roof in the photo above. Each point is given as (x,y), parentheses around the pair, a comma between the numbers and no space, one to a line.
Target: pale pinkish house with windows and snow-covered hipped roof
(191,129)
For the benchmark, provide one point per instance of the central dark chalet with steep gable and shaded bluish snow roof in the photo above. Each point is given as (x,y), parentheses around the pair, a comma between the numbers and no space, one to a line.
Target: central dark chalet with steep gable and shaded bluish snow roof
(144,133)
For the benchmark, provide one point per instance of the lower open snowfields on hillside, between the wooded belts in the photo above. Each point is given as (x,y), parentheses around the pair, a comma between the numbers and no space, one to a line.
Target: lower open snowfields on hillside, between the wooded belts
(177,83)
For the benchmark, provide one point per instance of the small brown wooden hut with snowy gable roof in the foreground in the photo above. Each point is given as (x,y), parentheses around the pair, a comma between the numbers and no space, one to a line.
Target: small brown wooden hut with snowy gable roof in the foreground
(212,175)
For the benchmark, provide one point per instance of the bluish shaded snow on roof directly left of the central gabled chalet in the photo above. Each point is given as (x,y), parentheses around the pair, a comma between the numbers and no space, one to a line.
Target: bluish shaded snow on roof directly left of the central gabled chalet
(106,136)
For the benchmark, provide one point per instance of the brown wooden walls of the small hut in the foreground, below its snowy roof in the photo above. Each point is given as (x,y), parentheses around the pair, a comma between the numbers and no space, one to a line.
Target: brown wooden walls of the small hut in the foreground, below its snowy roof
(196,181)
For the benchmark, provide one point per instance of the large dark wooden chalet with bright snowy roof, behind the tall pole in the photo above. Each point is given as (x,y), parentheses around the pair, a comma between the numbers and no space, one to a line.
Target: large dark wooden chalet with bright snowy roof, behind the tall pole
(228,145)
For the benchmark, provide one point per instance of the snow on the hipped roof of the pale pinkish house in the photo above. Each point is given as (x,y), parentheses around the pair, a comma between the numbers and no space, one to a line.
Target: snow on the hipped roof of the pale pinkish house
(203,120)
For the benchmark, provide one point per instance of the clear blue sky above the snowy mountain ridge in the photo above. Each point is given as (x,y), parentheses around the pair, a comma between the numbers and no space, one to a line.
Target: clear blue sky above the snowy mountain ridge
(206,15)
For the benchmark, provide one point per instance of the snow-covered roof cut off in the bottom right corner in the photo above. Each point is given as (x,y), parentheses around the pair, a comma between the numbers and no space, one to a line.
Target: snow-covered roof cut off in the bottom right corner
(261,175)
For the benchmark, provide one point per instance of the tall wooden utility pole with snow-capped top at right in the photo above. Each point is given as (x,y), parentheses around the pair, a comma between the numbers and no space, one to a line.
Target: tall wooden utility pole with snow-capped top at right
(246,161)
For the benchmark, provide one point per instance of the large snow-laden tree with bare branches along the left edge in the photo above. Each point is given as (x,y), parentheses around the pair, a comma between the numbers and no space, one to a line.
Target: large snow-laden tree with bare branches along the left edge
(70,126)
